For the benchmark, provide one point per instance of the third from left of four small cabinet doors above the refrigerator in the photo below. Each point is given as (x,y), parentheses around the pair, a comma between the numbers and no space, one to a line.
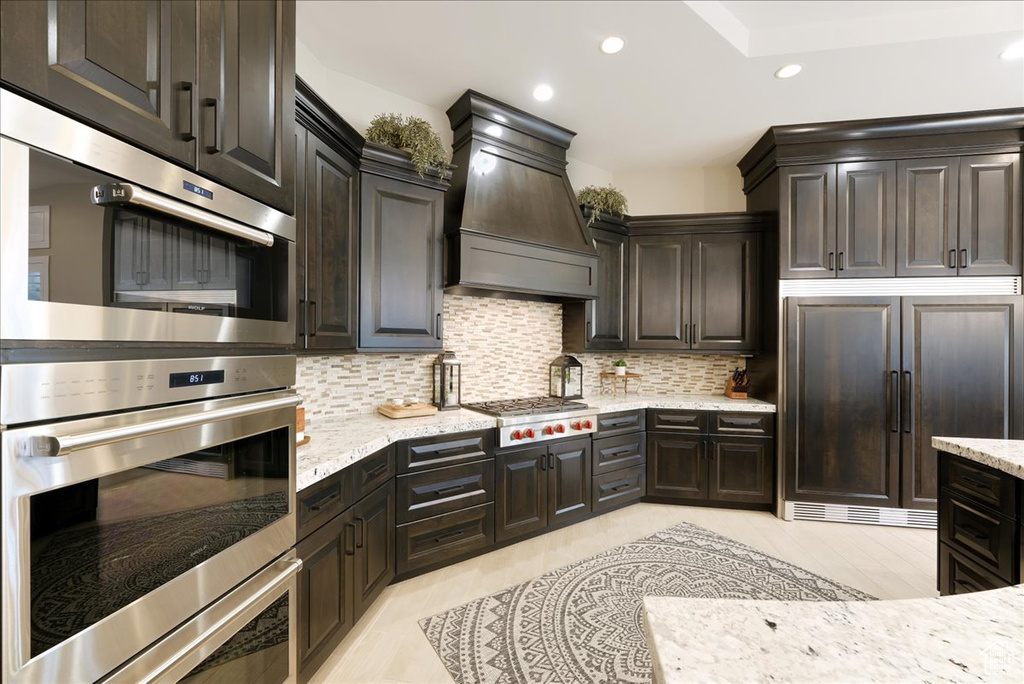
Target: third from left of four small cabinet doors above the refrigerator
(926,217)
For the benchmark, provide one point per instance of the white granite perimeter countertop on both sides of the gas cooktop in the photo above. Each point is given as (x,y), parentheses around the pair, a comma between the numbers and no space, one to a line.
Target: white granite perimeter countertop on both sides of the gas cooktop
(338,442)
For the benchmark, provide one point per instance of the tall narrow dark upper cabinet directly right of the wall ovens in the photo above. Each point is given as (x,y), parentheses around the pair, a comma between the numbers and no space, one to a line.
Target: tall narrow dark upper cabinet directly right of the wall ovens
(327,213)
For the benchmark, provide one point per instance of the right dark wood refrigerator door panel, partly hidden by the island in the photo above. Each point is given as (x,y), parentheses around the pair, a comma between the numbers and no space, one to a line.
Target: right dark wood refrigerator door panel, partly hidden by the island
(962,365)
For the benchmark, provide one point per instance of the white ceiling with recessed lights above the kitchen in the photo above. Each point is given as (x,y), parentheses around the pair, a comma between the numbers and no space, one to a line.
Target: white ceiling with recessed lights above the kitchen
(695,85)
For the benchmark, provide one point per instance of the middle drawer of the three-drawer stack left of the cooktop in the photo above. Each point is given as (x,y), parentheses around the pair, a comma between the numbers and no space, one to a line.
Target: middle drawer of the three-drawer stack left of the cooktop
(445,490)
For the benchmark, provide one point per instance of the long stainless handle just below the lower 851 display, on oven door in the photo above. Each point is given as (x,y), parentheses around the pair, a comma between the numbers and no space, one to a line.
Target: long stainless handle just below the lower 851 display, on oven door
(54,446)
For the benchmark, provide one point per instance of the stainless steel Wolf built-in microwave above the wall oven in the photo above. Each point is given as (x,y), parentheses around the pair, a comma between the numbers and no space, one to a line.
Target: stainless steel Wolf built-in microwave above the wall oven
(103,242)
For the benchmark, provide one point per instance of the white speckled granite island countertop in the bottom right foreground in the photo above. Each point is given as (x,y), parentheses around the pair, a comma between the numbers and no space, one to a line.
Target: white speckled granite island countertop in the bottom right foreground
(970,638)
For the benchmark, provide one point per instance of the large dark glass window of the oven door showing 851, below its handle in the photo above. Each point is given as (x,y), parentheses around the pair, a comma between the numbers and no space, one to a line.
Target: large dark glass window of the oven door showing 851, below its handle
(100,545)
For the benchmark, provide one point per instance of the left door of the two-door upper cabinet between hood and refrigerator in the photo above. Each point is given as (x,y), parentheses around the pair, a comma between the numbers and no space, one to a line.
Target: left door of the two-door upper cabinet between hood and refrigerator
(660,293)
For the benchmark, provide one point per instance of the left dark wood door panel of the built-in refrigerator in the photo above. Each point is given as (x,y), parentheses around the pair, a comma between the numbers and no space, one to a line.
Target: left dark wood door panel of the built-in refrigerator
(843,360)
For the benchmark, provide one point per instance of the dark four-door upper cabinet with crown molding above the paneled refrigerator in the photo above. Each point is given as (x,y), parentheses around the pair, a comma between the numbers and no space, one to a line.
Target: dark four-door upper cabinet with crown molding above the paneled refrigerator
(927,196)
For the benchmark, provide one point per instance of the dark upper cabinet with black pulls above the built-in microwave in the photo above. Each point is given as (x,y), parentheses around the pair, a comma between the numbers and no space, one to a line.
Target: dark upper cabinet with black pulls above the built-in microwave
(209,85)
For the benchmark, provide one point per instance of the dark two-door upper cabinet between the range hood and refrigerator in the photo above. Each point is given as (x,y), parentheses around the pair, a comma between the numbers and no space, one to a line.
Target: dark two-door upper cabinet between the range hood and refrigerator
(694,283)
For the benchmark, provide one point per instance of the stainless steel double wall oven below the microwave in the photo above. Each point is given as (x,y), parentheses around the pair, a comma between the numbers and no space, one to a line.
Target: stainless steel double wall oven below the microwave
(149,514)
